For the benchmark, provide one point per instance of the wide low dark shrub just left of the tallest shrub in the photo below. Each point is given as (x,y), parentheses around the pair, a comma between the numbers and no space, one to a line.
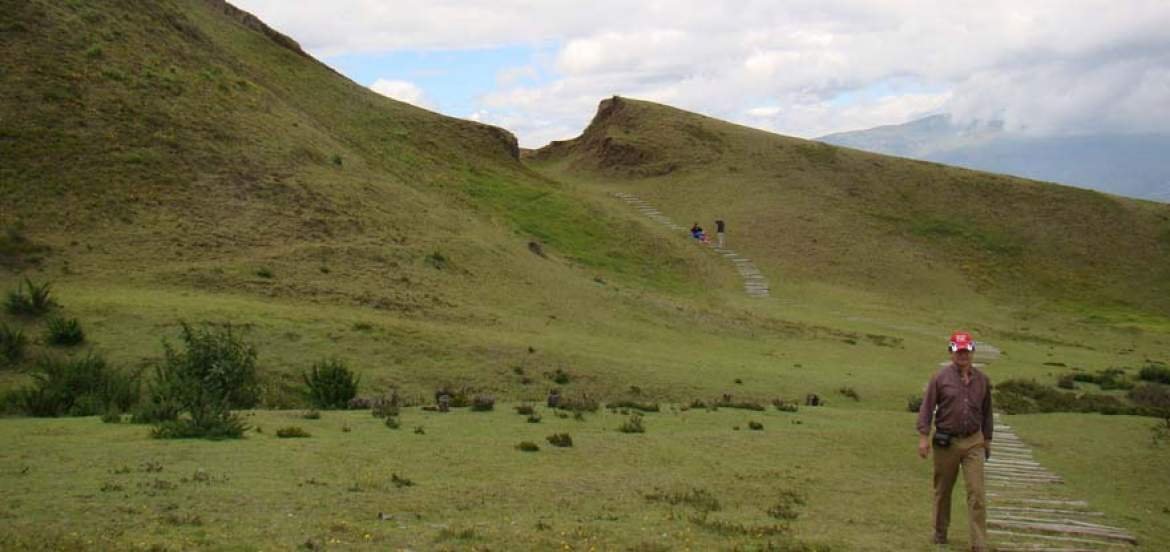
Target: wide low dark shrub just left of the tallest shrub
(78,388)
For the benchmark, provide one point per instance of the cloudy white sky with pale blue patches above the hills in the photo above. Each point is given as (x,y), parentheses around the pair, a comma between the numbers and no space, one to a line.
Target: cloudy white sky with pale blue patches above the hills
(803,68)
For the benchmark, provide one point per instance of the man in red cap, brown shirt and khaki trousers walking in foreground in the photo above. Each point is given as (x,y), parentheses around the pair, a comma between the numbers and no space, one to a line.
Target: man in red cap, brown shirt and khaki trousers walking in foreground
(962,395)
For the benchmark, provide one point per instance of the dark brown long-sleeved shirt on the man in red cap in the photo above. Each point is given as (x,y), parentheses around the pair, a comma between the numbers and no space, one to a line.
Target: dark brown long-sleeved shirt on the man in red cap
(963,409)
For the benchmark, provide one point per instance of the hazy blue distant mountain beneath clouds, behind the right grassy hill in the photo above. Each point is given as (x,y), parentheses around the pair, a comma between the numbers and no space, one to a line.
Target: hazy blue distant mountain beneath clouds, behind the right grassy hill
(1135,165)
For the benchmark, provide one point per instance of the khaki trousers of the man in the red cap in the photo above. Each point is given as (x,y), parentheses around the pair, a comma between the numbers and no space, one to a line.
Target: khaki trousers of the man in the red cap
(967,453)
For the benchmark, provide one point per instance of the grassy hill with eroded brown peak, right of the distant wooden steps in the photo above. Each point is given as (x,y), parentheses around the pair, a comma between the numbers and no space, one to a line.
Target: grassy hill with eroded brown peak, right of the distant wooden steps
(813,212)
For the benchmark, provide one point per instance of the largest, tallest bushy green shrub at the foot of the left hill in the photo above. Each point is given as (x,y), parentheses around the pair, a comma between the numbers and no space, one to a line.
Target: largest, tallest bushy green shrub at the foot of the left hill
(212,375)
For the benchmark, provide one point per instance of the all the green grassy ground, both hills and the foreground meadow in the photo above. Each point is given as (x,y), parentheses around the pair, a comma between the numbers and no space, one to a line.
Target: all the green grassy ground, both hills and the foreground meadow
(181,163)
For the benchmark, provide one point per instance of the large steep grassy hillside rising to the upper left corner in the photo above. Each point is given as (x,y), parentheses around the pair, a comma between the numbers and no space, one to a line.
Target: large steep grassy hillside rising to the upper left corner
(182,161)
